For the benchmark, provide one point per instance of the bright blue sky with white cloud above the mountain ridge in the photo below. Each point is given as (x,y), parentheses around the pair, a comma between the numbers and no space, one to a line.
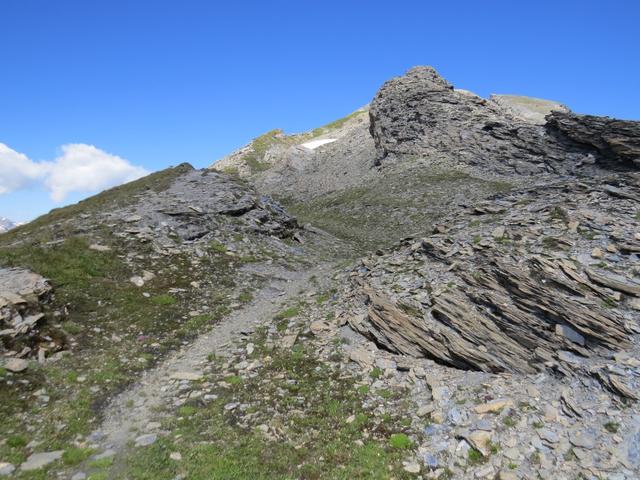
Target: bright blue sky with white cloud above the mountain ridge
(156,83)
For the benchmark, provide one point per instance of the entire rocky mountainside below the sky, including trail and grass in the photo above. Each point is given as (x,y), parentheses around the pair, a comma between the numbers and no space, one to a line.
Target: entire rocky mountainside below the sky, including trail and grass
(437,286)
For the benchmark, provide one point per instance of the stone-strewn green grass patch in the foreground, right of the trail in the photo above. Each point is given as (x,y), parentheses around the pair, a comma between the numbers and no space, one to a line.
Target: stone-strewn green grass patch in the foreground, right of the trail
(320,443)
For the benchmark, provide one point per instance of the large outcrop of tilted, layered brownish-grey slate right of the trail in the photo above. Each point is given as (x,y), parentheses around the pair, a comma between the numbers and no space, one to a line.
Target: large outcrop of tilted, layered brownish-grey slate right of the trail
(547,278)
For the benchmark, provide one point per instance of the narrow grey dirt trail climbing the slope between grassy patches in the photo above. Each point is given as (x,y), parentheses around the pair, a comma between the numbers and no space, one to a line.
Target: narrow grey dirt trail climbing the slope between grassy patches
(134,412)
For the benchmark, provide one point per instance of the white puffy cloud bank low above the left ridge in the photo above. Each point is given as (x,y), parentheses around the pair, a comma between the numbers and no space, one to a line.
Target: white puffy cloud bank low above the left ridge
(80,168)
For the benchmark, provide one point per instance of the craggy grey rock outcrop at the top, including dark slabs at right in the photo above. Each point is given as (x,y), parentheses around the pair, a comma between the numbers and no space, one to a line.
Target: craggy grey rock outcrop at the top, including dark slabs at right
(420,114)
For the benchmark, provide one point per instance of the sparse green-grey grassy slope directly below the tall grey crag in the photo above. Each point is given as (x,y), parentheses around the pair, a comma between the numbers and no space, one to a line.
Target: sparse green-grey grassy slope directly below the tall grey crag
(409,201)
